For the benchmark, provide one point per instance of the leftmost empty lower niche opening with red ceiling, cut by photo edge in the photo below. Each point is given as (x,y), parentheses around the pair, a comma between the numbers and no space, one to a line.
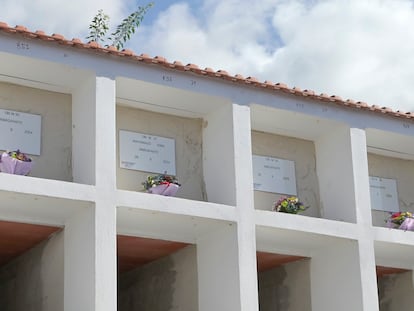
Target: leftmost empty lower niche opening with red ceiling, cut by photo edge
(31,266)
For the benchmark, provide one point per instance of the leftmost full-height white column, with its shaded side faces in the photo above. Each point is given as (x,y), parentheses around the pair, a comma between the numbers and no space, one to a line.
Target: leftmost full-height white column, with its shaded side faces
(90,235)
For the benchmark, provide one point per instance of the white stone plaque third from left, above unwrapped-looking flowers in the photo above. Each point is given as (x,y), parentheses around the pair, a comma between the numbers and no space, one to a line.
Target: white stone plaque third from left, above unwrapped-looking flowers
(274,175)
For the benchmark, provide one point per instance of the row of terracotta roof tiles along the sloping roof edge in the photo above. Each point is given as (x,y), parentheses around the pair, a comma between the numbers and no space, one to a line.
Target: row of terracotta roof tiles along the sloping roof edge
(222,74)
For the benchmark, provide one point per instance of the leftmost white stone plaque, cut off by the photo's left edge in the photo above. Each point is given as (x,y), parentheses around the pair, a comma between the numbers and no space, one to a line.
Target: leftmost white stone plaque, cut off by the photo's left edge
(19,130)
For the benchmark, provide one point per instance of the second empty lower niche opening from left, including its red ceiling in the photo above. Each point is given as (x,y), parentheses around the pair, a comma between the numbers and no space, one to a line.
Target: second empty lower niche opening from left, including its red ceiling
(156,274)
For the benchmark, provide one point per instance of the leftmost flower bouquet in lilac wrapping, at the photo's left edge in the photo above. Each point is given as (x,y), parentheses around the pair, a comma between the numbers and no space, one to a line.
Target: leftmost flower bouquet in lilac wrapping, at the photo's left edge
(15,162)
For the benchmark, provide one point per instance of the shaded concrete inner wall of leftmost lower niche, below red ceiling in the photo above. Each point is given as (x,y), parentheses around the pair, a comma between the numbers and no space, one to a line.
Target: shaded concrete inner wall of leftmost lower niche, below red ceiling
(34,280)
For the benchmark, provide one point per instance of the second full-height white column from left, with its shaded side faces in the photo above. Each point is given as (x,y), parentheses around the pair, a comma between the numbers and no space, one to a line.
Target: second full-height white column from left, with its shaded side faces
(228,177)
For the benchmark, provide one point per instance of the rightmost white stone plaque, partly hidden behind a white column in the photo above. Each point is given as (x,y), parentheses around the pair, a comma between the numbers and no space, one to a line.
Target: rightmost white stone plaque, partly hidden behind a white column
(384,196)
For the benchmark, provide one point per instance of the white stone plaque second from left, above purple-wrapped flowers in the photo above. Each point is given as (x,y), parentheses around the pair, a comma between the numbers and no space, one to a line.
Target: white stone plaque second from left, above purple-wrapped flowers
(147,153)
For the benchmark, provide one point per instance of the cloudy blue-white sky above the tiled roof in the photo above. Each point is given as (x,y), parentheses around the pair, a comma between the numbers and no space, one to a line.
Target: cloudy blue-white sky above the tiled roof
(356,49)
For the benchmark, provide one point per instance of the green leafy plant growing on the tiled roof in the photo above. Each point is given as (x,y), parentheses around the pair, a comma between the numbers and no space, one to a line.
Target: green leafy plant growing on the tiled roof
(99,27)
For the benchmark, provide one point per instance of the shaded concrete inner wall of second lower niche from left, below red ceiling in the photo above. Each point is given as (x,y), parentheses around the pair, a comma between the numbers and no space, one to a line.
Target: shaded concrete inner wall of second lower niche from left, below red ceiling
(168,284)
